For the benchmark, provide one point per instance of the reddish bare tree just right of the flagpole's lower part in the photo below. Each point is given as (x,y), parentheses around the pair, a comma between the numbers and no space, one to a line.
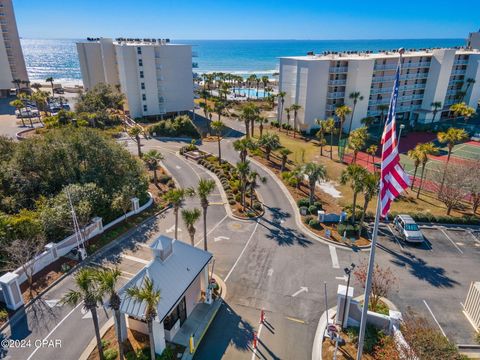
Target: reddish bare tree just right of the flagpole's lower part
(383,281)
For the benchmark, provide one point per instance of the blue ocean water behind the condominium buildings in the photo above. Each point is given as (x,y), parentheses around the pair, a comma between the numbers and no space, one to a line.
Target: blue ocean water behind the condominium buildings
(58,57)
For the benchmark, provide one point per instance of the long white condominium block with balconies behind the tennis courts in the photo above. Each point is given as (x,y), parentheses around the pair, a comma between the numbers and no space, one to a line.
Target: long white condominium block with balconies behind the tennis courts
(320,83)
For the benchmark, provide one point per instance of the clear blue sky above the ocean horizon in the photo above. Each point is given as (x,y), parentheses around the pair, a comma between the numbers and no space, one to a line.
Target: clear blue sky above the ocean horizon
(248,19)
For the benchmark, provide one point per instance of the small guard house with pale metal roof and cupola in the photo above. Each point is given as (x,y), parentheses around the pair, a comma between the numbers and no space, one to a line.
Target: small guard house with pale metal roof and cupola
(180,272)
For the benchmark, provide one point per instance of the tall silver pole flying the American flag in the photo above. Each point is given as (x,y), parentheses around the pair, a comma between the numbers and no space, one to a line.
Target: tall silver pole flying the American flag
(371,260)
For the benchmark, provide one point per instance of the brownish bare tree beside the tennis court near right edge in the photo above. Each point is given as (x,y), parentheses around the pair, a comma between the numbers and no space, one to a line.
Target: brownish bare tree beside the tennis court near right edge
(454,189)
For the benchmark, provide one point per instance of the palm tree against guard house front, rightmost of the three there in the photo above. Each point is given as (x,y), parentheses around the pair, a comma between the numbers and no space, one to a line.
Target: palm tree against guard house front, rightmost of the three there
(151,296)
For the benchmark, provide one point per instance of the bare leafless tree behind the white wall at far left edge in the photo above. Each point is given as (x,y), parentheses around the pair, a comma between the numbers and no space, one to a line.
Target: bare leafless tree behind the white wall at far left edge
(23,253)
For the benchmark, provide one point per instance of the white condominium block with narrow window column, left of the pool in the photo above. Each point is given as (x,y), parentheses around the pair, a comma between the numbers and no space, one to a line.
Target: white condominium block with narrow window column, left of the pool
(155,75)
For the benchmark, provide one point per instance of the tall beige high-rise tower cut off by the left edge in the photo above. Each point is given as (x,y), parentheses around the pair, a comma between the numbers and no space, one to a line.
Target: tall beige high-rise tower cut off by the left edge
(12,63)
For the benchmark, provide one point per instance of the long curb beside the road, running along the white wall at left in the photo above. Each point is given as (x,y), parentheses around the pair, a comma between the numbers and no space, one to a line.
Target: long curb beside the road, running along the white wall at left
(19,312)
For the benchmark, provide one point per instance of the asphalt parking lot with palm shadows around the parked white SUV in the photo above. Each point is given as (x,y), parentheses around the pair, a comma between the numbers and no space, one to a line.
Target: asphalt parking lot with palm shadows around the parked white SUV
(434,277)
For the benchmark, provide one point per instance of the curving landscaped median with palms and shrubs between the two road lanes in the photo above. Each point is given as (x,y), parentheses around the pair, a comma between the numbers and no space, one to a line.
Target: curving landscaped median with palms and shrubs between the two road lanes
(238,182)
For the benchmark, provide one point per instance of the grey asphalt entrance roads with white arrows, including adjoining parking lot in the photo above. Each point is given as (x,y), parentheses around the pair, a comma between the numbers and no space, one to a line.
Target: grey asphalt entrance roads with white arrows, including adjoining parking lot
(267,264)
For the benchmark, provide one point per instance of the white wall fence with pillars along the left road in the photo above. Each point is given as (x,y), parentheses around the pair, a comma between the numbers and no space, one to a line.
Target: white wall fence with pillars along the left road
(11,281)
